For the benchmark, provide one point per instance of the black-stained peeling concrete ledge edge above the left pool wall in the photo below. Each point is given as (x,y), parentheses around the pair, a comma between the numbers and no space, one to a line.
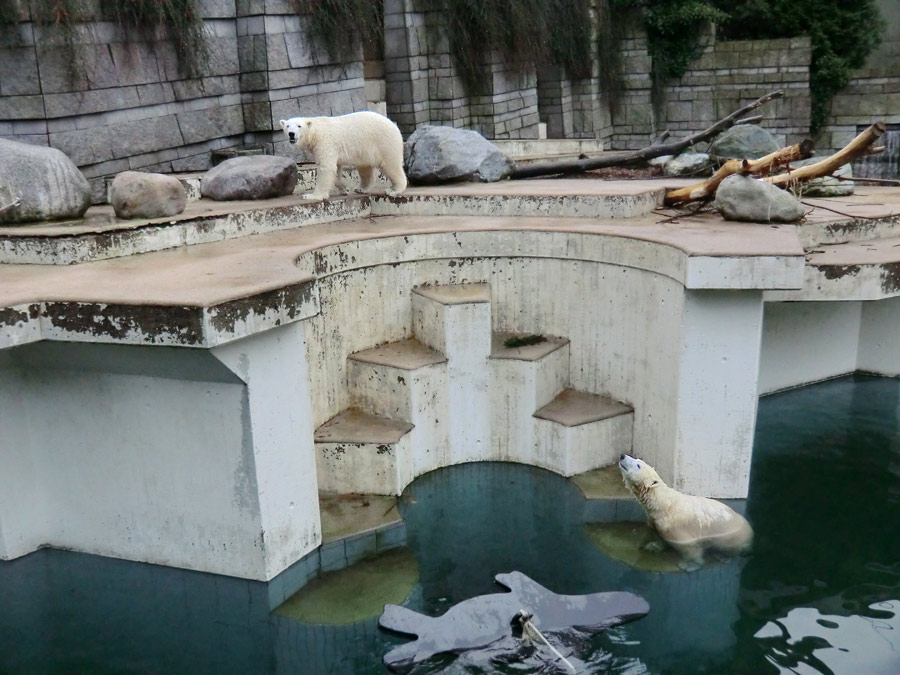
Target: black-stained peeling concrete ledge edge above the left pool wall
(165,325)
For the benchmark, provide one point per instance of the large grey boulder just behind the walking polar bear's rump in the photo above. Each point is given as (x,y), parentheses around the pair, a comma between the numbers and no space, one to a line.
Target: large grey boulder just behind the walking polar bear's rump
(445,154)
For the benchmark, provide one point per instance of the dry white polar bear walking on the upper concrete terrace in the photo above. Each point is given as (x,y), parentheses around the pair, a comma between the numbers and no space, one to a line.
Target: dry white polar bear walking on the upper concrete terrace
(365,140)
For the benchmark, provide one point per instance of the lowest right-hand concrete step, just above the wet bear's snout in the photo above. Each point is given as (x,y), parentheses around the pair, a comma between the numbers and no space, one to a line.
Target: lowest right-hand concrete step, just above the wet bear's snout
(579,431)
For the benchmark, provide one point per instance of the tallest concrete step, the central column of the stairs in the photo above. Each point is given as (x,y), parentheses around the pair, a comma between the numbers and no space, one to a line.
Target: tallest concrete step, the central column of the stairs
(456,320)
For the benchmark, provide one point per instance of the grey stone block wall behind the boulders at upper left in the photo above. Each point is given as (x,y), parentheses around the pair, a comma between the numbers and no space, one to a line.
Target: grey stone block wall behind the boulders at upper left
(114,101)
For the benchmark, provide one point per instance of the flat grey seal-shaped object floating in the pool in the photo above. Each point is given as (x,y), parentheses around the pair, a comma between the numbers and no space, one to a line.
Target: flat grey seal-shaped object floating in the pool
(481,620)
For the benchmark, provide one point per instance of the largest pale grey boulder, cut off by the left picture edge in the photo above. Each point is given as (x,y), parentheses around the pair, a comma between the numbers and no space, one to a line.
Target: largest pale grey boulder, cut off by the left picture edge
(44,181)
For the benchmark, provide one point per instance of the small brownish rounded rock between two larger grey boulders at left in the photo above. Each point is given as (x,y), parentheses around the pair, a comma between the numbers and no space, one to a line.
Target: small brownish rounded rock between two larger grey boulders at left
(134,194)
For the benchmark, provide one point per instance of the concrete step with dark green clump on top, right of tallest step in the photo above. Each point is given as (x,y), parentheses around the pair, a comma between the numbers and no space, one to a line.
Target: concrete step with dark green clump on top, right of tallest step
(523,379)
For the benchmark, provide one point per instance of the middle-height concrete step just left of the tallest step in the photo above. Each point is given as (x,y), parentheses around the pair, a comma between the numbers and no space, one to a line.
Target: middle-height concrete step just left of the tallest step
(395,380)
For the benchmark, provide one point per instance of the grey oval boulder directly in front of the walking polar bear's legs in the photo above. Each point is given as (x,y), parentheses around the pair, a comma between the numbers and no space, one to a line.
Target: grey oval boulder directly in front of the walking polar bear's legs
(259,177)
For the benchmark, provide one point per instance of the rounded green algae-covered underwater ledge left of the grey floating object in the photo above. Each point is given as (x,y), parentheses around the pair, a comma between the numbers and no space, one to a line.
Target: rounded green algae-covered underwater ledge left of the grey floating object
(356,593)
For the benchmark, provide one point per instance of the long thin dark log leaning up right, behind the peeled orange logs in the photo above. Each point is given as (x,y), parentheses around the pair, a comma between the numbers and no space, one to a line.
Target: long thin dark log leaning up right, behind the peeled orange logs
(630,157)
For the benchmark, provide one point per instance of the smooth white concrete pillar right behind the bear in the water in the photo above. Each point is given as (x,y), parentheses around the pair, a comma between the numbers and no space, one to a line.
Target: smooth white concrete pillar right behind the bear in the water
(717,392)
